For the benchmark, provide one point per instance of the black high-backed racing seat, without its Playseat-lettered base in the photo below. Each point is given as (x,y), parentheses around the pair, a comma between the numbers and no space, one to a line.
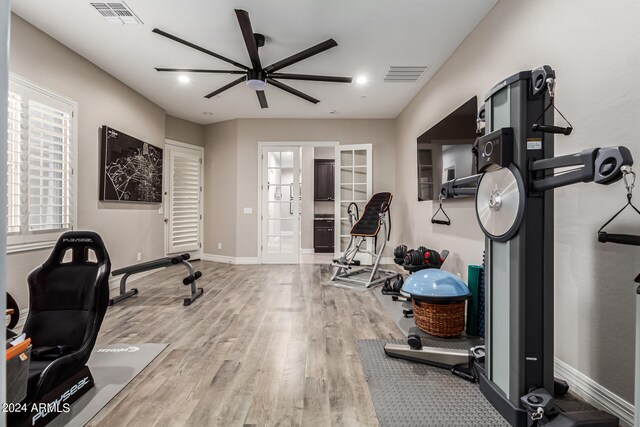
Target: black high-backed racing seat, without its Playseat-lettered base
(68,298)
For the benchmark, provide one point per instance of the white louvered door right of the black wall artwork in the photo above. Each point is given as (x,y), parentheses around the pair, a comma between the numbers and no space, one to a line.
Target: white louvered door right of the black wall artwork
(184,199)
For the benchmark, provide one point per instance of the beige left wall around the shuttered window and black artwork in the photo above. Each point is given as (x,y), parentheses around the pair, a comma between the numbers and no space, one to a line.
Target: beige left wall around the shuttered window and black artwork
(102,100)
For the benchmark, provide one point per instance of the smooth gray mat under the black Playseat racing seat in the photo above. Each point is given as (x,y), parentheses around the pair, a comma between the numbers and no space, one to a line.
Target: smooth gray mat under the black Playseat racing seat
(113,367)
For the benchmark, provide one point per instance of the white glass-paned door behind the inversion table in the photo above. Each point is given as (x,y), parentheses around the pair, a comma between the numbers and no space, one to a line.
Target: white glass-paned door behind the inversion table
(354,184)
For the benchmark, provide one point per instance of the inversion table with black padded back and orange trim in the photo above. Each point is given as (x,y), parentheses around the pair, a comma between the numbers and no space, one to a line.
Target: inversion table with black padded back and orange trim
(374,218)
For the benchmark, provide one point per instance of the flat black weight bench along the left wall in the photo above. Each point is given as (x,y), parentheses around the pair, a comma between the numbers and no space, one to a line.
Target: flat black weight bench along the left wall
(152,265)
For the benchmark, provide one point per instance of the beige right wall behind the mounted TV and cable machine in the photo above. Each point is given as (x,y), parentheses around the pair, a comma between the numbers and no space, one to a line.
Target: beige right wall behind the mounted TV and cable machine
(593,47)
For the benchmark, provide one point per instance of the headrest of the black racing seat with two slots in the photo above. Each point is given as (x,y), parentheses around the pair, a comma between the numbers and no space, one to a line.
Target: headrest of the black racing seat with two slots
(87,248)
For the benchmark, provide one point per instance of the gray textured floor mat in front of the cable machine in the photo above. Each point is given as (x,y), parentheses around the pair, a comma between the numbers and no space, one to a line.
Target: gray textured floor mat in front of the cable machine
(411,394)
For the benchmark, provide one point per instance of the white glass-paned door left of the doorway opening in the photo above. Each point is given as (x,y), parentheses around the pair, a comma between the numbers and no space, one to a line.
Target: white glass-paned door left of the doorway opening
(280,205)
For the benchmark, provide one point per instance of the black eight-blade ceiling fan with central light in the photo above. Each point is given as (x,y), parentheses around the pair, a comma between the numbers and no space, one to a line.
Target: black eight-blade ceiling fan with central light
(256,76)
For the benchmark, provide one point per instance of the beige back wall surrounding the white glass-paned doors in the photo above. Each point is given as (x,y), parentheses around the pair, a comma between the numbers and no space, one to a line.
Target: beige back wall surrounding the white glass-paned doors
(380,133)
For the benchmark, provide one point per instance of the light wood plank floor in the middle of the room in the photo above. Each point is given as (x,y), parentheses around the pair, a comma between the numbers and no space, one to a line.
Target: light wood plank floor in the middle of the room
(264,345)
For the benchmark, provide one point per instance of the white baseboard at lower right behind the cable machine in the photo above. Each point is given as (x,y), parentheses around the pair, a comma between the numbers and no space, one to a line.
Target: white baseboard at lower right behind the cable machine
(594,393)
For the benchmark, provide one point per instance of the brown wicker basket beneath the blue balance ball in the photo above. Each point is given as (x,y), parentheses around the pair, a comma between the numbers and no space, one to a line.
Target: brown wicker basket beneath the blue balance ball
(440,320)
